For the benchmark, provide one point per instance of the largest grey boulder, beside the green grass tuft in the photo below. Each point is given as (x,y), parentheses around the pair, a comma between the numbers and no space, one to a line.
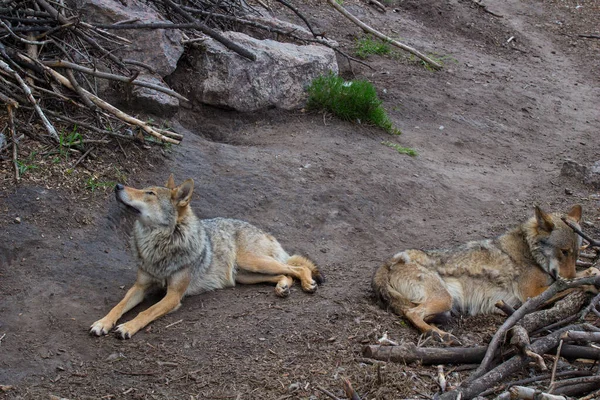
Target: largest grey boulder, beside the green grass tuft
(278,78)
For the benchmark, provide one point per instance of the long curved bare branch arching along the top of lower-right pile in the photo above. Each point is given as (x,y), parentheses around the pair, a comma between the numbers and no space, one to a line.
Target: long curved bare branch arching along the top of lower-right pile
(526,308)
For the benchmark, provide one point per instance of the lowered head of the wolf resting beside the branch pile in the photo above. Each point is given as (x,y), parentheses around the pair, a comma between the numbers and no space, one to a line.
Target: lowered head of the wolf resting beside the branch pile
(553,244)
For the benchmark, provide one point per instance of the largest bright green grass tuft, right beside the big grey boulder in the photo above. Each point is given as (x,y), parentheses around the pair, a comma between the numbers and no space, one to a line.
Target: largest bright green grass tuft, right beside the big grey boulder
(349,100)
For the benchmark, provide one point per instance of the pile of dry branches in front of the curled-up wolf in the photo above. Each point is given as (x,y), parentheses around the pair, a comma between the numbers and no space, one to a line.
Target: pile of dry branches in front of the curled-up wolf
(568,330)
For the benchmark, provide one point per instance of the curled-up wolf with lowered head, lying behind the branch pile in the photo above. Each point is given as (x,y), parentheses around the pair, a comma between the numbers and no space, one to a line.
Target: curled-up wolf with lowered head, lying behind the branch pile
(513,267)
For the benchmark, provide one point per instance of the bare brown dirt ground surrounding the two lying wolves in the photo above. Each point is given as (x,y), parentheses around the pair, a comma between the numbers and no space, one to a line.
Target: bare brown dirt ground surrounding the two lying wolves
(492,130)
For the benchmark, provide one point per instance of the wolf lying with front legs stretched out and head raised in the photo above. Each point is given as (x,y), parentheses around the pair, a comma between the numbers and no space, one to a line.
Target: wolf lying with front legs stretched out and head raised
(188,256)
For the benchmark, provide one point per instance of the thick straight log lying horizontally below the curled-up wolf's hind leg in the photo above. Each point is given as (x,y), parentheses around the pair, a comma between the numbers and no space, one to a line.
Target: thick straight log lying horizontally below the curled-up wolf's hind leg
(408,353)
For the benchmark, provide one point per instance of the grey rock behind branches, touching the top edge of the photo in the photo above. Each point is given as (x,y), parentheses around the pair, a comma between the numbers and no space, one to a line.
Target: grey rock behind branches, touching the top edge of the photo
(159,48)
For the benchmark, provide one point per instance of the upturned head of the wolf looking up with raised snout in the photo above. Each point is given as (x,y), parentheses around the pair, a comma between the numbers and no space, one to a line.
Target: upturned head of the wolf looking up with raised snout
(158,206)
